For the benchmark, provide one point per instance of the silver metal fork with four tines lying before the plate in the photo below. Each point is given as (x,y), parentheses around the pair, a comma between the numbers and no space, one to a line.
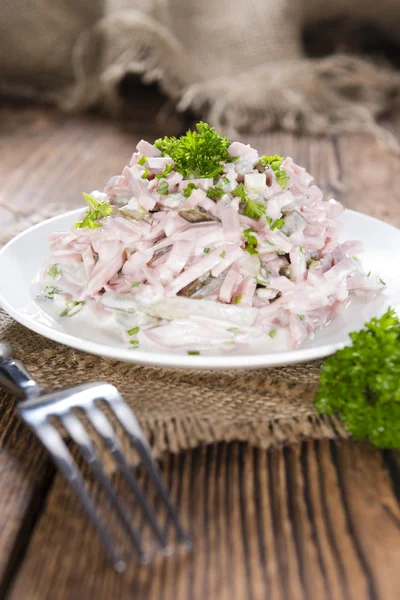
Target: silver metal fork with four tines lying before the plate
(37,410)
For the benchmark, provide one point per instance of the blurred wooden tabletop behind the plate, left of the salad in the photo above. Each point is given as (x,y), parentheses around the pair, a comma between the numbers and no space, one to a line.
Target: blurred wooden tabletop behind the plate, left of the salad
(48,158)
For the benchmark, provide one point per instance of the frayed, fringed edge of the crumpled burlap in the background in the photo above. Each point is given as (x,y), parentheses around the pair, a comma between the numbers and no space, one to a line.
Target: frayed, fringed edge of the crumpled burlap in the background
(319,96)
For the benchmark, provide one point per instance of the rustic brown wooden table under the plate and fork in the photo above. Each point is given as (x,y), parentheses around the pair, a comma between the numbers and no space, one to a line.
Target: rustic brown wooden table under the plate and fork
(315,521)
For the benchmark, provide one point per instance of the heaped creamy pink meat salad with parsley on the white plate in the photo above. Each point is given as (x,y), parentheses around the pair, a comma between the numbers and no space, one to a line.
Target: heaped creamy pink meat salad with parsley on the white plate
(206,245)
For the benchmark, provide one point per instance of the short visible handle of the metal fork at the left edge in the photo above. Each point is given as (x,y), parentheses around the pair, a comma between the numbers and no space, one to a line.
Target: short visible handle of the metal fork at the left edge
(14,377)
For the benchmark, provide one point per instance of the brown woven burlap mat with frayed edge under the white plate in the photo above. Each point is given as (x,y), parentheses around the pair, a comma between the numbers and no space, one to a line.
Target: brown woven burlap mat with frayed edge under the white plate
(181,409)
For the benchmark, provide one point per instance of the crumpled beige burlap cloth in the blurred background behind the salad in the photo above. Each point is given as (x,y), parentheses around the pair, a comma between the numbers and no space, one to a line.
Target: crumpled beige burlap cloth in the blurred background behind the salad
(242,65)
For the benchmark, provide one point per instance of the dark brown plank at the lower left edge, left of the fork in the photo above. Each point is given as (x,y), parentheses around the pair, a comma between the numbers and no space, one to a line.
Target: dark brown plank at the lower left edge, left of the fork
(25,478)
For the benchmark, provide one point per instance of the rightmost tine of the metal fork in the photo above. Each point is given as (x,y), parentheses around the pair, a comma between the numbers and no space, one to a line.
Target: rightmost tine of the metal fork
(130,424)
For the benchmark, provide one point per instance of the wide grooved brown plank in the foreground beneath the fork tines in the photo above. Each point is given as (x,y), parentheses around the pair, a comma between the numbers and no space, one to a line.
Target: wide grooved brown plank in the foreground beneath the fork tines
(310,522)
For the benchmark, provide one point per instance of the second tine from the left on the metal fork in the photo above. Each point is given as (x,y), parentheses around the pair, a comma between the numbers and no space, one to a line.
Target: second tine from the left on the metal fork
(80,436)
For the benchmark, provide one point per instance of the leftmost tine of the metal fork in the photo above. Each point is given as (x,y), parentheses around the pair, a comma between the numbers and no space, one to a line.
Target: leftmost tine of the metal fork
(54,443)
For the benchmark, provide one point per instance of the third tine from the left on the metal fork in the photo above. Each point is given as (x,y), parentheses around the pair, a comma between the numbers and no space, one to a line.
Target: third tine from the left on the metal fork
(105,430)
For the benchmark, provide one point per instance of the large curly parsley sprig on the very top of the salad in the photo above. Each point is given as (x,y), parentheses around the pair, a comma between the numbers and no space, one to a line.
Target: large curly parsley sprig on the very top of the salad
(198,153)
